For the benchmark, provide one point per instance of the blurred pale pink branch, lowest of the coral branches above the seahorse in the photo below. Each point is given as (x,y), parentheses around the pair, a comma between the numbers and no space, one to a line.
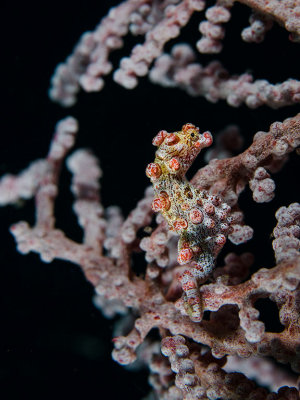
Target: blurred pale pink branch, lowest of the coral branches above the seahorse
(180,69)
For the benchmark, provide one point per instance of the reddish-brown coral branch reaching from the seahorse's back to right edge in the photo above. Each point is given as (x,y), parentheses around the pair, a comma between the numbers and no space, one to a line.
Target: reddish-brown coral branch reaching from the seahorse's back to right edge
(228,177)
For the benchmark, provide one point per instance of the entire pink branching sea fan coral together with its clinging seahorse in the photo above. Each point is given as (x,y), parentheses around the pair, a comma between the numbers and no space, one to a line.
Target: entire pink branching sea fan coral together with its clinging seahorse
(178,287)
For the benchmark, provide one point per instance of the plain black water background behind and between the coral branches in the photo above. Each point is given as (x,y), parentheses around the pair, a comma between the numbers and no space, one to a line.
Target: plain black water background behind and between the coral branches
(53,341)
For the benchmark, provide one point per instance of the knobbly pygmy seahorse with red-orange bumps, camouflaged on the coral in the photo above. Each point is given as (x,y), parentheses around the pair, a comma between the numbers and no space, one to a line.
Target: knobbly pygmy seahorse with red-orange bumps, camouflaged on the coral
(202,220)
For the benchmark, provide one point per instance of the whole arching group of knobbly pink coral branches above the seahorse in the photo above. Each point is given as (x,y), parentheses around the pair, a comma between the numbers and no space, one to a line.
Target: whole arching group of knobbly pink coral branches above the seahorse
(160,22)
